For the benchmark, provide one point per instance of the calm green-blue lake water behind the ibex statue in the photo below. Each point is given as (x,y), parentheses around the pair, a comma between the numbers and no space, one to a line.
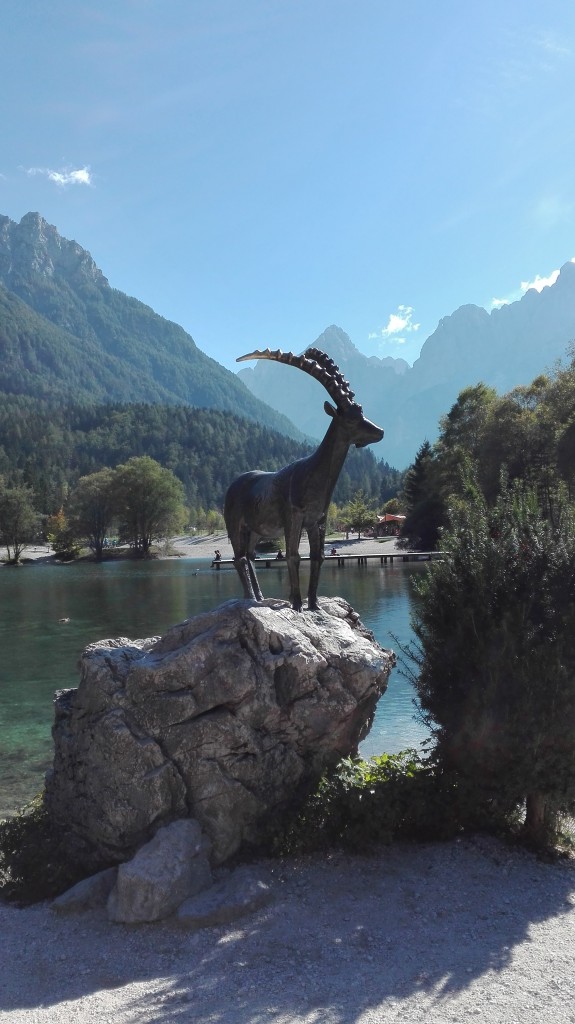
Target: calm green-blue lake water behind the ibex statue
(142,600)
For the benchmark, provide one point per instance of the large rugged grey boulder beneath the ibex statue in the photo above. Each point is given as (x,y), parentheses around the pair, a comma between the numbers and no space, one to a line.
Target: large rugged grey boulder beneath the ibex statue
(227,719)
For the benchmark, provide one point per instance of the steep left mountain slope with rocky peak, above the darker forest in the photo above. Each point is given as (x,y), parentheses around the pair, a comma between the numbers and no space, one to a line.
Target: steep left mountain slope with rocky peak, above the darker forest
(66,334)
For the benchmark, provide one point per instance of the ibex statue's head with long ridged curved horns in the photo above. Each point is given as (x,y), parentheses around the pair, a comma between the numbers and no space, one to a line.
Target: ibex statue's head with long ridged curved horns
(319,365)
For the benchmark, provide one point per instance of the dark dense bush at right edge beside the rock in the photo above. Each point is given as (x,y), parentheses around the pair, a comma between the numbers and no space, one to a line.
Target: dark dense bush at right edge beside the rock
(496,624)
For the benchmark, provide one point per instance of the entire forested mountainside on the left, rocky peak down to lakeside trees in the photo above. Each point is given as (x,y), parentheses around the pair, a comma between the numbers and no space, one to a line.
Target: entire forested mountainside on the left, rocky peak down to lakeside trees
(91,377)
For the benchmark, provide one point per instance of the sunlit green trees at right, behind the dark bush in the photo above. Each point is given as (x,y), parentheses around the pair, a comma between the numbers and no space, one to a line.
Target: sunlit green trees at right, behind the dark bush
(528,434)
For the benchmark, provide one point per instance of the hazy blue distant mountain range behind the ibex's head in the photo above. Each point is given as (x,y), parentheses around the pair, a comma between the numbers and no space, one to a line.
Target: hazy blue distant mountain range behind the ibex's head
(505,349)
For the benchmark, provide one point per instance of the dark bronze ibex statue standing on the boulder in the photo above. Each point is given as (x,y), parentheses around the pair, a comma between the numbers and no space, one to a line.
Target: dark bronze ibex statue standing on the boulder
(264,505)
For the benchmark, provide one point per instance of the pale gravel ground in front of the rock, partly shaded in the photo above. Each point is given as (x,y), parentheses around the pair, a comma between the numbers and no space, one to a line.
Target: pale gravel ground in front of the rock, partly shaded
(468,930)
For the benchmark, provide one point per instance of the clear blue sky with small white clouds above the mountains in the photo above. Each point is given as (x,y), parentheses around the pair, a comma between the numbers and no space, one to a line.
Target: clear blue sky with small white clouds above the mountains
(257,170)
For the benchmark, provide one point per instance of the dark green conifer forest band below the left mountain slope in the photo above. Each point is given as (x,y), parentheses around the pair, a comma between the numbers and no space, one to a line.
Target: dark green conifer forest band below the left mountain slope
(50,449)
